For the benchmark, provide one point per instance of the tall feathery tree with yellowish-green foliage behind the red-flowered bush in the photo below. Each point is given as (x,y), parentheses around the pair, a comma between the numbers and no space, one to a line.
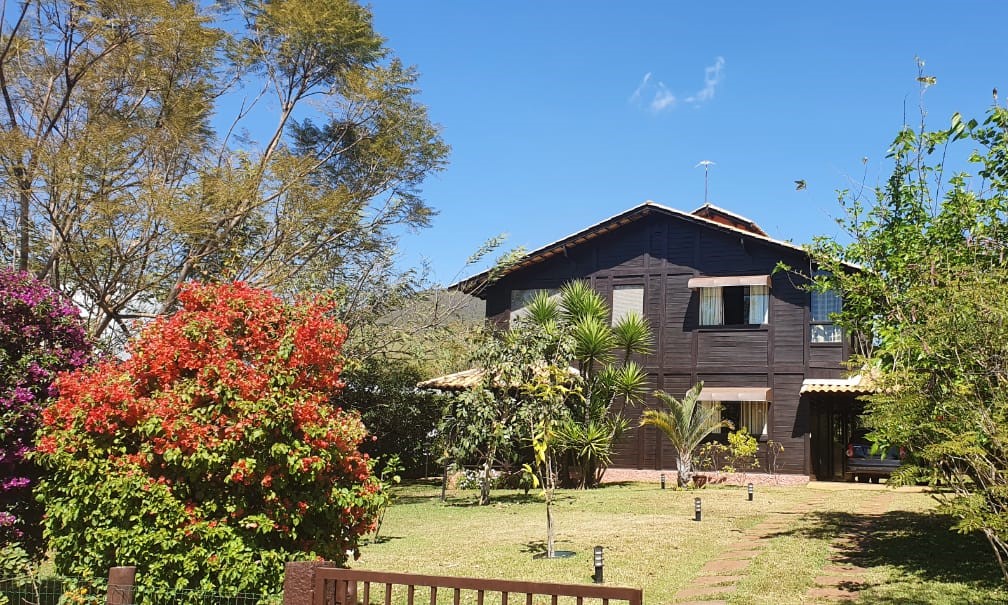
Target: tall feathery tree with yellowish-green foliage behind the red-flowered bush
(150,143)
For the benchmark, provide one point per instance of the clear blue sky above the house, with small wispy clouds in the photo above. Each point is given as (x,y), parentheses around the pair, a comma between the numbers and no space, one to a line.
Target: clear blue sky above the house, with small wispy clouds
(561,114)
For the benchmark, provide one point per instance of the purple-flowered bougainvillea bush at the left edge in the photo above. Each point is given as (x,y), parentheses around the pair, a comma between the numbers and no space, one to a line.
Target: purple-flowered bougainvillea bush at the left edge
(42,334)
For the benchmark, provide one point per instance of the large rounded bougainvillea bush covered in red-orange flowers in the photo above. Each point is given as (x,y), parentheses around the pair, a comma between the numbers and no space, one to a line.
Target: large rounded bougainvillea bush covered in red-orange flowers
(211,455)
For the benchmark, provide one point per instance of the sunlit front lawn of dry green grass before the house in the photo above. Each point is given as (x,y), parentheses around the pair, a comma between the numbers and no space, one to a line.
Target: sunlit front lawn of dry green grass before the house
(653,542)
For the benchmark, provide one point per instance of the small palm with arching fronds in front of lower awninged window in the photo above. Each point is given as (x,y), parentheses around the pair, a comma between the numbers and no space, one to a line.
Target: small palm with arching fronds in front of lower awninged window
(686,425)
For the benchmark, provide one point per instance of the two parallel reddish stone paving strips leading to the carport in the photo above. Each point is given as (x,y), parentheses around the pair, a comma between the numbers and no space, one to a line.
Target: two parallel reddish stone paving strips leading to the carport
(838,581)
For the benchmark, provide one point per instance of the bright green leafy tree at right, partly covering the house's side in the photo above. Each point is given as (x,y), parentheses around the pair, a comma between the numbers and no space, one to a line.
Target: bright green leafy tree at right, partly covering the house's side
(930,305)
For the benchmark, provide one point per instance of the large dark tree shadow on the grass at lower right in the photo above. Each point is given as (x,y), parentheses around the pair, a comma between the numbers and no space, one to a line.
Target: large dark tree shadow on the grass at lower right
(920,546)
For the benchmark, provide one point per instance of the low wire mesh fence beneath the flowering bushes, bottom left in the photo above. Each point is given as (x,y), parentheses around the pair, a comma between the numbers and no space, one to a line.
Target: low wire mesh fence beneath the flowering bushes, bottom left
(34,590)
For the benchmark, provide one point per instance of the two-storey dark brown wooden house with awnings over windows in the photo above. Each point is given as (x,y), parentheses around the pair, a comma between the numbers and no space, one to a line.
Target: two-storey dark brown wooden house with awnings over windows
(706,281)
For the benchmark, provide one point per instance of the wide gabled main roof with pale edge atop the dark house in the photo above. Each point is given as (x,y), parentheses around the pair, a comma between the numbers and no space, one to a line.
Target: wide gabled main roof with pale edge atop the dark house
(720,220)
